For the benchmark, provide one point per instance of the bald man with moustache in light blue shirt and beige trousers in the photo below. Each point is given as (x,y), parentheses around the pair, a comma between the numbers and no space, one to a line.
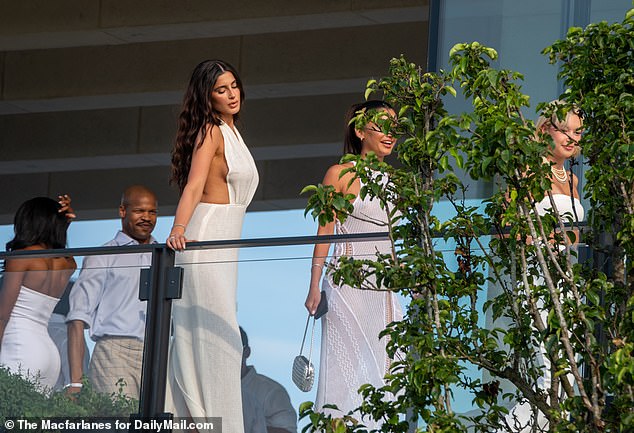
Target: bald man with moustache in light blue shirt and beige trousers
(105,299)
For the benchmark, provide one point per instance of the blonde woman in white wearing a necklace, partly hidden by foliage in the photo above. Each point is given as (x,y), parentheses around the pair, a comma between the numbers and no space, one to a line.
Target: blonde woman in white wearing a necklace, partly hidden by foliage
(565,135)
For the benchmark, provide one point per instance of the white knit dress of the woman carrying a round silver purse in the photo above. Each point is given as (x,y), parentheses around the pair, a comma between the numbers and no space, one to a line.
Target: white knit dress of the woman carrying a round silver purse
(351,352)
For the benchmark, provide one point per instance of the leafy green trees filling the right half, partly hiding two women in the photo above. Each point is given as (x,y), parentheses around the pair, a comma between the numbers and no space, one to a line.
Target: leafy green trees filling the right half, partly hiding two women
(580,315)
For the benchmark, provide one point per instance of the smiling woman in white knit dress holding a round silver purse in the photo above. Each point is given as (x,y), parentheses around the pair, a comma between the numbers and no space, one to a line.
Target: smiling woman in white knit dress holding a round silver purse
(351,352)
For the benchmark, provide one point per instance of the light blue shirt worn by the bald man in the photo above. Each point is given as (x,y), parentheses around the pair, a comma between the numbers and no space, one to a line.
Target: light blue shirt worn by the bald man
(106,294)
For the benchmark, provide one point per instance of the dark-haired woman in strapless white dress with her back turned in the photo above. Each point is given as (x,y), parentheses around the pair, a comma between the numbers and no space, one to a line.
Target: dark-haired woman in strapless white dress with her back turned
(31,288)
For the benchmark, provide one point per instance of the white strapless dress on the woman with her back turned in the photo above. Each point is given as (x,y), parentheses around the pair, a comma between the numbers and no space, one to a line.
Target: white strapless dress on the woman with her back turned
(26,346)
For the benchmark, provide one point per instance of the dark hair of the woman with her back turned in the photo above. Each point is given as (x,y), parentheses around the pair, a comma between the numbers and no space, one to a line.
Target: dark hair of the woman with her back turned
(39,222)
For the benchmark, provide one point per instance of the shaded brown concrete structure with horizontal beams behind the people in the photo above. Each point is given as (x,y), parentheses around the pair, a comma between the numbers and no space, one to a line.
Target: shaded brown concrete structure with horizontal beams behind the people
(90,90)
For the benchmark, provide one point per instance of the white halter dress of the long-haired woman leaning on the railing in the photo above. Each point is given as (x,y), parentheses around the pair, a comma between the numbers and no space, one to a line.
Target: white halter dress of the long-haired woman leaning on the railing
(206,352)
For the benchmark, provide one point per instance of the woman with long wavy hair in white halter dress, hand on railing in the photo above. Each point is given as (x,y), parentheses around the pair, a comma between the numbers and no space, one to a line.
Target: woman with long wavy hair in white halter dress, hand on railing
(216,185)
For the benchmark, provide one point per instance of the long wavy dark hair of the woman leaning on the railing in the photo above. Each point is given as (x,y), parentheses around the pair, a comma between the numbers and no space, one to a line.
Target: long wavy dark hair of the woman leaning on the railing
(197,114)
